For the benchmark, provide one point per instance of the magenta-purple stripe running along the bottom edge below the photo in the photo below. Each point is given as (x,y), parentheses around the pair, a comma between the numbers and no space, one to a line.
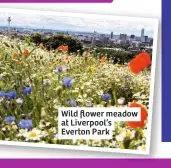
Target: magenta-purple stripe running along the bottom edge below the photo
(85,163)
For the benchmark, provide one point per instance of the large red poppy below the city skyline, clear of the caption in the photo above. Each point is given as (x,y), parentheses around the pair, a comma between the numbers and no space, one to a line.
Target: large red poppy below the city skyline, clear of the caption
(140,62)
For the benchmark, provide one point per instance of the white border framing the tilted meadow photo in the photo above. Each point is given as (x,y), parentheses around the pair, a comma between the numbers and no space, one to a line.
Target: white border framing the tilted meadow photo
(155,22)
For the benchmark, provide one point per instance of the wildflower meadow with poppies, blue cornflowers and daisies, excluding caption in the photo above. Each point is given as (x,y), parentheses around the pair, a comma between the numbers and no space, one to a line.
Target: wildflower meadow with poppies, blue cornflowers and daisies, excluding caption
(35,82)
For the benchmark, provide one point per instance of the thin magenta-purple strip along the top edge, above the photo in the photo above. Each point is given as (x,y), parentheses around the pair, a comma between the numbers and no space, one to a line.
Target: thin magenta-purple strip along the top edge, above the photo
(56,1)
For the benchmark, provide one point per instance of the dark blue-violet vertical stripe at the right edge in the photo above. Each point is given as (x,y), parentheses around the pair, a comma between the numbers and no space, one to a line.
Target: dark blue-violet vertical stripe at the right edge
(166,79)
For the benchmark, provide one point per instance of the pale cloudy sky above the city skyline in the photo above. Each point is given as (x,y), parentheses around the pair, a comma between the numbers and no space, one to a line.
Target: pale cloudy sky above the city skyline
(69,22)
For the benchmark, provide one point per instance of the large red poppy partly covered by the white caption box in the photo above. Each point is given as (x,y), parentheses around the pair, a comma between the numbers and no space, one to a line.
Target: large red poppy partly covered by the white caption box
(144,115)
